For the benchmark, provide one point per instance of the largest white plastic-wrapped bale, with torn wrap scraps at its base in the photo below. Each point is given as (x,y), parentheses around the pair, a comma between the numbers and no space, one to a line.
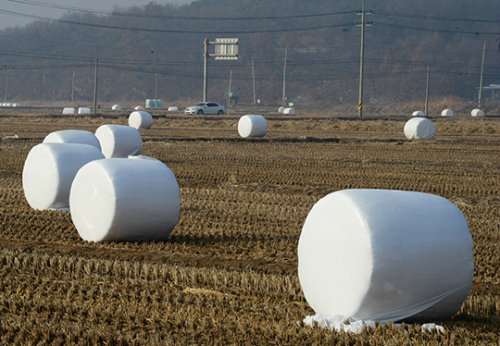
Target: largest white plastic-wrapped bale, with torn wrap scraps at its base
(385,255)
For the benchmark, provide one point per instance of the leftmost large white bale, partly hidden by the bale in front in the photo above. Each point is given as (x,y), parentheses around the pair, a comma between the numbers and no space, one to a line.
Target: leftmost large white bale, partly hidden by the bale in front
(50,169)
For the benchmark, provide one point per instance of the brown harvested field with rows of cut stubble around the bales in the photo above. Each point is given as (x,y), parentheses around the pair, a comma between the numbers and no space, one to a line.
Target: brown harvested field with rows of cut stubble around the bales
(228,273)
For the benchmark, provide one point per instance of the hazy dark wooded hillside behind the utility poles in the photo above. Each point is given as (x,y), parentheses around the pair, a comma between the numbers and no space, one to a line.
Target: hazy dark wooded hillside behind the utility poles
(157,51)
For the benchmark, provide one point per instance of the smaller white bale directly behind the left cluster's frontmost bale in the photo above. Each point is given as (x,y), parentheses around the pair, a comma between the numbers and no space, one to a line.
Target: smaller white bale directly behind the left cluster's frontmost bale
(119,140)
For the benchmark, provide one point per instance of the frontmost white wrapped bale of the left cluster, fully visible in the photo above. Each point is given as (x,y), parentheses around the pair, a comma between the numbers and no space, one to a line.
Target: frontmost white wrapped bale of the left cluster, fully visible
(125,200)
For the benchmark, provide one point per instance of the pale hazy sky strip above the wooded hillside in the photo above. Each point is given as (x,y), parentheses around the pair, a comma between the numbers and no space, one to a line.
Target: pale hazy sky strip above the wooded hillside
(27,7)
